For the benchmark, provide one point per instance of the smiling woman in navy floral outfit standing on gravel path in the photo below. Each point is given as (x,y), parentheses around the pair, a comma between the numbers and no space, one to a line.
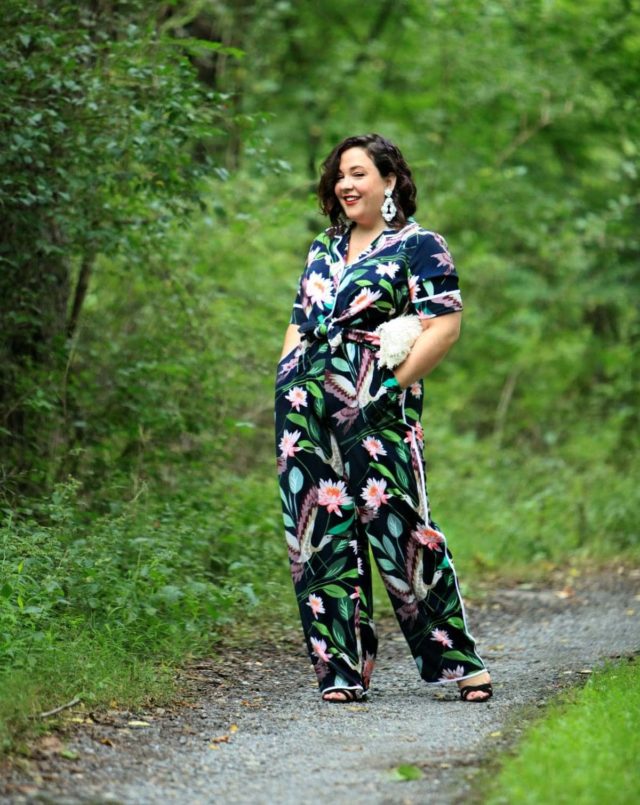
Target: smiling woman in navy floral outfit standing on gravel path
(348,429)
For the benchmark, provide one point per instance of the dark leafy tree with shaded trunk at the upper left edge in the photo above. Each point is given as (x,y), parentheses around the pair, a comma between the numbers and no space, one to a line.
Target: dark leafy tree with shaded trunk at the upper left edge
(106,134)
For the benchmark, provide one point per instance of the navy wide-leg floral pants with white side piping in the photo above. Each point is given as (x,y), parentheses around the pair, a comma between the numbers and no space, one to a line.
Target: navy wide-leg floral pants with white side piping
(352,475)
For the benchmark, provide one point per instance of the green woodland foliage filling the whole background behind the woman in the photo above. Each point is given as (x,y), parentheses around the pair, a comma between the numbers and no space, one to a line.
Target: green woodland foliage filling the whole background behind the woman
(154,391)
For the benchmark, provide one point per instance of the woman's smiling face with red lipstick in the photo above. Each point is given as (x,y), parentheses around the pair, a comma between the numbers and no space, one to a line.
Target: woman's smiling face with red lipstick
(360,188)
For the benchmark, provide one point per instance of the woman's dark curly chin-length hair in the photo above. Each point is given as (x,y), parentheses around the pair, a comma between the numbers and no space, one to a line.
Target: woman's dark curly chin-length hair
(387,159)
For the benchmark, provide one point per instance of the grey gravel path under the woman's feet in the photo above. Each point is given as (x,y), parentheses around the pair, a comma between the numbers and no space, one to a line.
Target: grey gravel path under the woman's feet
(253,729)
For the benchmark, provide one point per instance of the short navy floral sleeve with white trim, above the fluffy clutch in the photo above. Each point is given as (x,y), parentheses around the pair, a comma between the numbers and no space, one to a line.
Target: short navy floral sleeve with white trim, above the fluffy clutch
(433,280)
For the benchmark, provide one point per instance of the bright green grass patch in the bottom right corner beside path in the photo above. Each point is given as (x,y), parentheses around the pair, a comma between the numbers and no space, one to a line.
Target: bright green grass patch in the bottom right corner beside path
(584,751)
